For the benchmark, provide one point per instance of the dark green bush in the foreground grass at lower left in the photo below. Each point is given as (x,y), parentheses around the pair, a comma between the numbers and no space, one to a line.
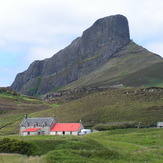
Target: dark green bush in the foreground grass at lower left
(16,146)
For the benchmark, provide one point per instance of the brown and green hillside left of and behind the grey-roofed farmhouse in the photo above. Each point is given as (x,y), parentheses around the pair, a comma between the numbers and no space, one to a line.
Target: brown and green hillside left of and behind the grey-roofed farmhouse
(13,108)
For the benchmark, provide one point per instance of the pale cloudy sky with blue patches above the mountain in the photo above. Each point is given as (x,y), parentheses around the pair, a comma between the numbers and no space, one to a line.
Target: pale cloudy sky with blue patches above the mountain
(37,29)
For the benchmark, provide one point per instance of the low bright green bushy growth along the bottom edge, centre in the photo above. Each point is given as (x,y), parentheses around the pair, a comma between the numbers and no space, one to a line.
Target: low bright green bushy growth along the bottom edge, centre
(79,156)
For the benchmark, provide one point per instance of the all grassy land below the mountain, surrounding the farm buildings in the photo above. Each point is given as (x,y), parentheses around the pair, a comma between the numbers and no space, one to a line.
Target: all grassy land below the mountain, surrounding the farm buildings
(113,105)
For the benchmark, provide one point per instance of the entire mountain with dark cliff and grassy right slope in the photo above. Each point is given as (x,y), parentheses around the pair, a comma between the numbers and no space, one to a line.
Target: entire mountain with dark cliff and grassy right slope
(103,56)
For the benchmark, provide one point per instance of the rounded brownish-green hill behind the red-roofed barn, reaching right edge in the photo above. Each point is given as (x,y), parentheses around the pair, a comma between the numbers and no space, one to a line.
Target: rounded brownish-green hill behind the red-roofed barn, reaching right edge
(115,105)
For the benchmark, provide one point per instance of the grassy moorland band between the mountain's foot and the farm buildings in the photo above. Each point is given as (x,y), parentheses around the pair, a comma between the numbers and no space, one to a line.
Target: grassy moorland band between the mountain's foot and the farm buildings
(112,105)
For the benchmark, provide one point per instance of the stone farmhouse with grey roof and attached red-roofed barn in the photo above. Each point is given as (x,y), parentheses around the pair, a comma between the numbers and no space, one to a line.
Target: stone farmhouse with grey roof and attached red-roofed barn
(48,126)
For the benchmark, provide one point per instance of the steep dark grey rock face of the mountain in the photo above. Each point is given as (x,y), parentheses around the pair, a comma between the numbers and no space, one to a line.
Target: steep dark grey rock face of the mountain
(95,47)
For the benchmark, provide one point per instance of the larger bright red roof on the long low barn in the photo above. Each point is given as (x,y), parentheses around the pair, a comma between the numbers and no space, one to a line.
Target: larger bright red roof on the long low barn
(66,127)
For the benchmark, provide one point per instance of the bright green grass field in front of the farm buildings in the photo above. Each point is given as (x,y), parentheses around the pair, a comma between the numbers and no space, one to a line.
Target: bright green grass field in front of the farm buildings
(114,146)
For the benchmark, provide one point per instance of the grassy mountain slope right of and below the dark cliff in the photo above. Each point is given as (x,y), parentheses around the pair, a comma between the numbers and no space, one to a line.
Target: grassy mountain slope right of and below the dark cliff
(123,65)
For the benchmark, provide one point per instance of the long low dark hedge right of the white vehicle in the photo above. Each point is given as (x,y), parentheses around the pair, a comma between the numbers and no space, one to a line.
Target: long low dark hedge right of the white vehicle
(115,125)
